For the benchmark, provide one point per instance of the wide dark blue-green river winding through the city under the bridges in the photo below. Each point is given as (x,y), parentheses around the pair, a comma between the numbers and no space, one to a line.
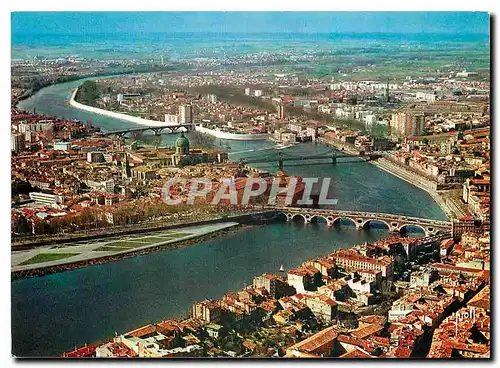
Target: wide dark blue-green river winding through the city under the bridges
(55,313)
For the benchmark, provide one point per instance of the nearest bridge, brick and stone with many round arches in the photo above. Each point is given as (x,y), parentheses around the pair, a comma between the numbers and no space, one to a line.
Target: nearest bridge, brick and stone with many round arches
(395,223)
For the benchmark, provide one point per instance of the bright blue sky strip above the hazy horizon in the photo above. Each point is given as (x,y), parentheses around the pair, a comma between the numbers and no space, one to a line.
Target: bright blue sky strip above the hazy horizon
(303,22)
